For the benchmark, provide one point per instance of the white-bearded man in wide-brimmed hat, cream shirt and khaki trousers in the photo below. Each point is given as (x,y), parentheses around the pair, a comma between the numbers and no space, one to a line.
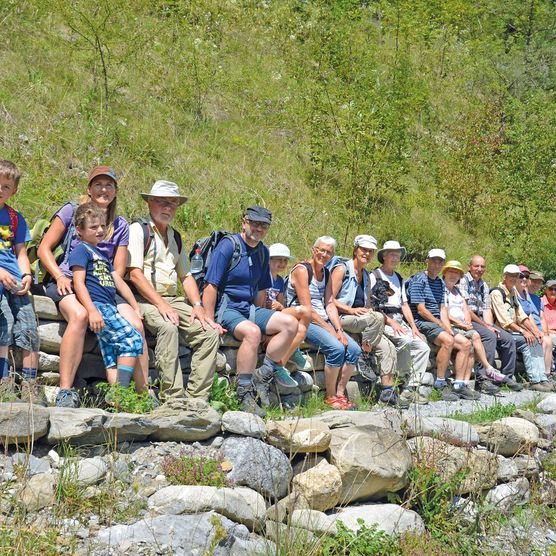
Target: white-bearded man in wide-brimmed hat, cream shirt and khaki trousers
(156,261)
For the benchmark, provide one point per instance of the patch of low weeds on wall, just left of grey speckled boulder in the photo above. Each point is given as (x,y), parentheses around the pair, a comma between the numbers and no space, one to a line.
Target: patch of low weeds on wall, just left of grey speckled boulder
(197,470)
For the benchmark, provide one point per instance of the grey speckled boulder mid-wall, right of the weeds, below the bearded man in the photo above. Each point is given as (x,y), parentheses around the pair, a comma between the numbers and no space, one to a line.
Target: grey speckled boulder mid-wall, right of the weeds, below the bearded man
(258,466)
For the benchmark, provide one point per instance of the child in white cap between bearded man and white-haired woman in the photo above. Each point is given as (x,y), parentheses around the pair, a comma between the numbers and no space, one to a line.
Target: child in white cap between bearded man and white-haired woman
(279,258)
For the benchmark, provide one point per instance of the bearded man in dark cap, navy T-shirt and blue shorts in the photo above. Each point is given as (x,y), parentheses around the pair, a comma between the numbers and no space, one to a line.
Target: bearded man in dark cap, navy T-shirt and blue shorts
(236,298)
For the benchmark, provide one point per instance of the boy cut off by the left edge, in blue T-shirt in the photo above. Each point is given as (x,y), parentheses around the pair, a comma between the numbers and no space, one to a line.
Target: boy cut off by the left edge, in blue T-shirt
(17,316)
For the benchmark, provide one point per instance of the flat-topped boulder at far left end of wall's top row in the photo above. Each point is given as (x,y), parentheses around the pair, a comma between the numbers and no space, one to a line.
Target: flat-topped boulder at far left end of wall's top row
(22,423)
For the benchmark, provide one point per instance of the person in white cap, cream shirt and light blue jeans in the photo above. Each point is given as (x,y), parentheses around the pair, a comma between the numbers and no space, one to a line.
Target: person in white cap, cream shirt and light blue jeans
(509,315)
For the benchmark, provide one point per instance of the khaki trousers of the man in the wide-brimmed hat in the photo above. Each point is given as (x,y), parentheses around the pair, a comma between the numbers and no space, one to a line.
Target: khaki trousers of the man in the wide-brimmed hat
(204,343)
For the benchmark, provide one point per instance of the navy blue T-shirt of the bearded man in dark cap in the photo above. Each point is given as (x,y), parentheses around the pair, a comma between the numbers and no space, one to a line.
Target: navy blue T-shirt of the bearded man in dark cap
(242,284)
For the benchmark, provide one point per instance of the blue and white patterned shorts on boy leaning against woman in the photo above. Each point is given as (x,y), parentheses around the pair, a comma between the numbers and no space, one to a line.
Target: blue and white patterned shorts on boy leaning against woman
(118,338)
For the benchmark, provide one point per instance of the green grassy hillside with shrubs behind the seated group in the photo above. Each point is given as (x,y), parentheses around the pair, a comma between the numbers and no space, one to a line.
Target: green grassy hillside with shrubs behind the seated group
(432,122)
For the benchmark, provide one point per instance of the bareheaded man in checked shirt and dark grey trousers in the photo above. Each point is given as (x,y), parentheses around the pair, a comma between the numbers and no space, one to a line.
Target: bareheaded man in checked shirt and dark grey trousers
(477,294)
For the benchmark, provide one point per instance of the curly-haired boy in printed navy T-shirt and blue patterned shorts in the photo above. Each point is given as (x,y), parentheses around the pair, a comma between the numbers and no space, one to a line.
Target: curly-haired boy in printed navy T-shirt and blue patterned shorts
(95,284)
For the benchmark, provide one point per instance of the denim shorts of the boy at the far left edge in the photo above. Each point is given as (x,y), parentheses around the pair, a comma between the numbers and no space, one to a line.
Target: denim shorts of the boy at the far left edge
(18,322)
